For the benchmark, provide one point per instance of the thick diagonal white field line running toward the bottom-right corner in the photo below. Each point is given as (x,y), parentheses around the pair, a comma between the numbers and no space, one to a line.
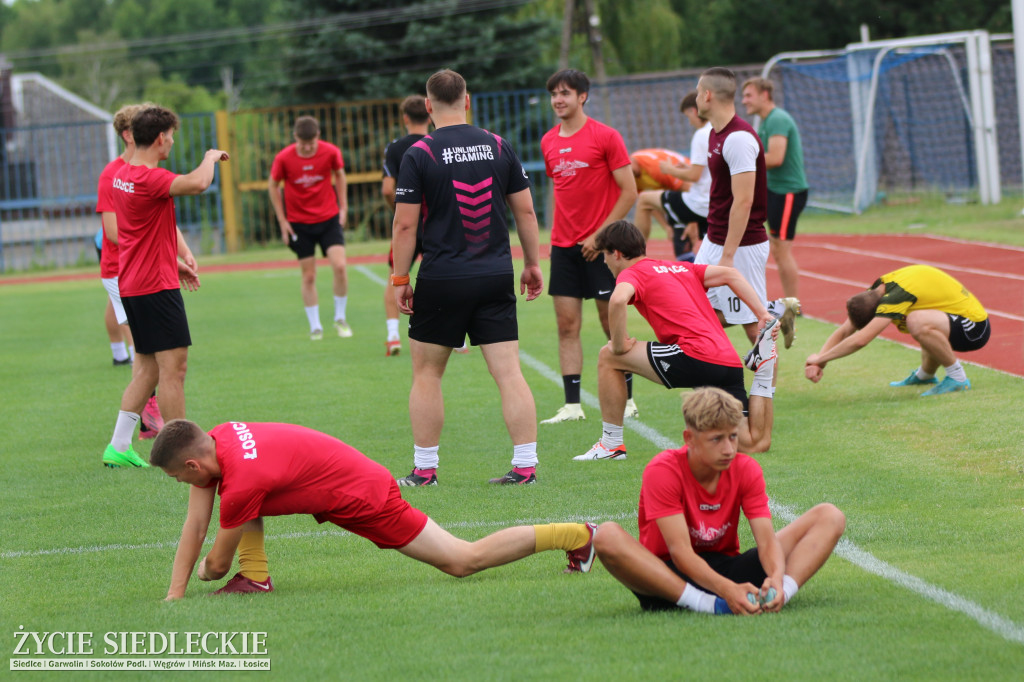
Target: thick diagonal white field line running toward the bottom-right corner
(846,549)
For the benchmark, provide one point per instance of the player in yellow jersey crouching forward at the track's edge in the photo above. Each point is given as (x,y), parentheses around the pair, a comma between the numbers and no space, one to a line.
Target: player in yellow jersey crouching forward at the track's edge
(925,303)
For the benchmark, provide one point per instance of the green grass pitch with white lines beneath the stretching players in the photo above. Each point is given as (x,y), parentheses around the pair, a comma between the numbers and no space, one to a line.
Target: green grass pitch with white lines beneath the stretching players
(927,586)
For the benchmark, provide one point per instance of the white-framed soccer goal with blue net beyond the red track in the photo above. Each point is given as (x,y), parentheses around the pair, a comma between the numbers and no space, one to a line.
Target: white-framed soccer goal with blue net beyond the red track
(894,117)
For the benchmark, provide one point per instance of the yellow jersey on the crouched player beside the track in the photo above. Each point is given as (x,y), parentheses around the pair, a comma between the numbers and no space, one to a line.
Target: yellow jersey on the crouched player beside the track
(925,288)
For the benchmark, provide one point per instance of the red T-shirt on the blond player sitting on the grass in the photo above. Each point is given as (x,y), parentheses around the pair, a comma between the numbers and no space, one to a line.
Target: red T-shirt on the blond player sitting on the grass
(669,489)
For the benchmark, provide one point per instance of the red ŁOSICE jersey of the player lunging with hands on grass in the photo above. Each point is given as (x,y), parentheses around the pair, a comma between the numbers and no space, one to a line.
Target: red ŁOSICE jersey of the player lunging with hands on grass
(278,470)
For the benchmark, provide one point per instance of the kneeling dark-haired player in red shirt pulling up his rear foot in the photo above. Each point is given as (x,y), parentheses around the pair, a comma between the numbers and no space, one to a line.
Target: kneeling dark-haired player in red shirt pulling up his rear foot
(693,349)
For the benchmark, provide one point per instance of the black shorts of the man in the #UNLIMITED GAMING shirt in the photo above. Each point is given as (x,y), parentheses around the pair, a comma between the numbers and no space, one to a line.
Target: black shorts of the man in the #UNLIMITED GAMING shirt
(446,311)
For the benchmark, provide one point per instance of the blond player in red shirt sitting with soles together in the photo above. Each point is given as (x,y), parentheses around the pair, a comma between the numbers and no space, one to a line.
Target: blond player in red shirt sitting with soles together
(689,553)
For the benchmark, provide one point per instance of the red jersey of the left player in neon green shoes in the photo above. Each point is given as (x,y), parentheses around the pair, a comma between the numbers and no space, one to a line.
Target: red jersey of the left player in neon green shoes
(148,238)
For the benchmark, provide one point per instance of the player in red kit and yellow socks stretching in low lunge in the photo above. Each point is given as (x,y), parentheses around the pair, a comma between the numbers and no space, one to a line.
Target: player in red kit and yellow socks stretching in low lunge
(277,470)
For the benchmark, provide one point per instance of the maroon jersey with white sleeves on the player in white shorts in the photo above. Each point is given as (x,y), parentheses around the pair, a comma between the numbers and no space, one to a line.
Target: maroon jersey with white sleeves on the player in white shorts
(737,149)
